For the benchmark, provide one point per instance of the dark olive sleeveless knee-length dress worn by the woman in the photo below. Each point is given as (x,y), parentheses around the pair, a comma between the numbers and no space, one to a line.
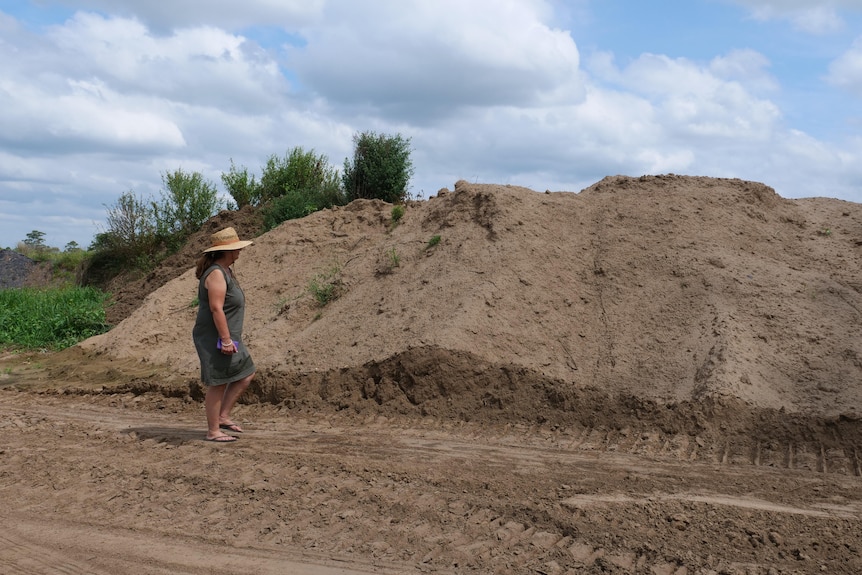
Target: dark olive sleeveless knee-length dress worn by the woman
(218,368)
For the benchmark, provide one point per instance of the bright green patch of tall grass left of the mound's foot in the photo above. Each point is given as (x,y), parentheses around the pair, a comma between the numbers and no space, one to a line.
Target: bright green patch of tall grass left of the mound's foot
(53,318)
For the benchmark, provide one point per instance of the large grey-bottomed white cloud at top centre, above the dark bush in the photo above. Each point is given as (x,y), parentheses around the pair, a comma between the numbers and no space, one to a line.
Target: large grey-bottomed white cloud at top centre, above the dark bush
(434,57)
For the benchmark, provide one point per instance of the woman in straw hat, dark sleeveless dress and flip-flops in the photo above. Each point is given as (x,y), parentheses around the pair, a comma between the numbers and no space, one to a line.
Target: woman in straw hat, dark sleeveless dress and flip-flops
(226,366)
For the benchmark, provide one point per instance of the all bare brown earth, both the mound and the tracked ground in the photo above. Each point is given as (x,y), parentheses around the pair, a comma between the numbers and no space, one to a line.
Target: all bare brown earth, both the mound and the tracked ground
(657,375)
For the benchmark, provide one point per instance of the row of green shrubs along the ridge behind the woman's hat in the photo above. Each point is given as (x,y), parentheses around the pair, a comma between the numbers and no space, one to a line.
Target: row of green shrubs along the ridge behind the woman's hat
(141,232)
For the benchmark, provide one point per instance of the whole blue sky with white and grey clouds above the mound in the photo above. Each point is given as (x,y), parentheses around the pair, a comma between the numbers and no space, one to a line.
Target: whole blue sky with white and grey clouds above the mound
(102,97)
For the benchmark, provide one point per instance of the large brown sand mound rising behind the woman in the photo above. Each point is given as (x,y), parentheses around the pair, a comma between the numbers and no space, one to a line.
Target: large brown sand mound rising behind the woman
(665,289)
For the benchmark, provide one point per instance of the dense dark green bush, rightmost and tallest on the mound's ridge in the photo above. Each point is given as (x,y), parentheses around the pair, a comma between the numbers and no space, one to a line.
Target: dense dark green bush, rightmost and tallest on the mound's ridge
(381,168)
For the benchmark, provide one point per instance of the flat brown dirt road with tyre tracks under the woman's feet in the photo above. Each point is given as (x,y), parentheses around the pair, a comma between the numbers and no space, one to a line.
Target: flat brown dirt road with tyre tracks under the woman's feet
(104,483)
